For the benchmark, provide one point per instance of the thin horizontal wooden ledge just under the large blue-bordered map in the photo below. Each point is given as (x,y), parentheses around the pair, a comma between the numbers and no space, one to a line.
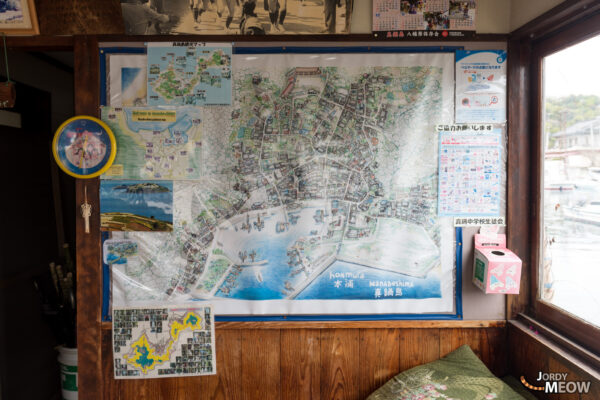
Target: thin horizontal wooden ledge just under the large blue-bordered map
(414,324)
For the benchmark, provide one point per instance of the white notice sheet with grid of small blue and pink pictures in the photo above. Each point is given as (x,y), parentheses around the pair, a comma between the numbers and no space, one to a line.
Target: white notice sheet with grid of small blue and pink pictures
(470,170)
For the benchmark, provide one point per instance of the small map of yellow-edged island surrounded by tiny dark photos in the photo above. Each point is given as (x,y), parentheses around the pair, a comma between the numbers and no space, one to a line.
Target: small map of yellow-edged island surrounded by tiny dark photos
(163,342)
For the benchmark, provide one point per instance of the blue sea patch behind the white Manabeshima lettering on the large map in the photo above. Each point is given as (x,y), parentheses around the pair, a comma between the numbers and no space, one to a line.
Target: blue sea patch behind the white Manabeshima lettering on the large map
(365,281)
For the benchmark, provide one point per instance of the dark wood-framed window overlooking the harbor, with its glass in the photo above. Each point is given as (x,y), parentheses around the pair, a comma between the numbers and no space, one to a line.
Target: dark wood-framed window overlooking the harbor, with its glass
(568,259)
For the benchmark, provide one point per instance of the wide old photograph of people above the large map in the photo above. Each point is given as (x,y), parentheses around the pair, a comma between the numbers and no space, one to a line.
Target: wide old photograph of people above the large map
(233,17)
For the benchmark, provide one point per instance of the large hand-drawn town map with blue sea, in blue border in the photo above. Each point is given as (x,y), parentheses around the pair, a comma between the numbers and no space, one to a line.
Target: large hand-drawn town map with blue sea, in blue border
(317,194)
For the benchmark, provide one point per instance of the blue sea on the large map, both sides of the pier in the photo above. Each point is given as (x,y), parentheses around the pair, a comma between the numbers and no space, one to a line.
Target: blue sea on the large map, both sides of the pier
(267,280)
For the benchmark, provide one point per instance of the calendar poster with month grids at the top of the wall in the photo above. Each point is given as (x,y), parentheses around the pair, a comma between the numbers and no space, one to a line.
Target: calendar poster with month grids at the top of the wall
(424,19)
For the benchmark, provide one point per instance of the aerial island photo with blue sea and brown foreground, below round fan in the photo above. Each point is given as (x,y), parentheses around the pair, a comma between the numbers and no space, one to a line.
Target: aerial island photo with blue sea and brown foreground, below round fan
(136,205)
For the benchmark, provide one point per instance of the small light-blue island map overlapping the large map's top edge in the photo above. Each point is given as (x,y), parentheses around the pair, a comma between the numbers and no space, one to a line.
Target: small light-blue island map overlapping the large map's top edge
(189,74)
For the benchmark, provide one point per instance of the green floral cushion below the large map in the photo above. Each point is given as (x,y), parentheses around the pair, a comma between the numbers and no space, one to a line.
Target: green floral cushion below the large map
(458,376)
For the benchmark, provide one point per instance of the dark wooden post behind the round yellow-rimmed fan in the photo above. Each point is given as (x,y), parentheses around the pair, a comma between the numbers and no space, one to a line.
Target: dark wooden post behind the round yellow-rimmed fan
(88,254)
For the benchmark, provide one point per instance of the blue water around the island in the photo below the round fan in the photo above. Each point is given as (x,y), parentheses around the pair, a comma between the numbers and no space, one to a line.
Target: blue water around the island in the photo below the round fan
(156,205)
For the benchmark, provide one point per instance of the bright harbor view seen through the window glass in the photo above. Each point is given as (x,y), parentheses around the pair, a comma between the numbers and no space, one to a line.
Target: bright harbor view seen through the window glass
(570,270)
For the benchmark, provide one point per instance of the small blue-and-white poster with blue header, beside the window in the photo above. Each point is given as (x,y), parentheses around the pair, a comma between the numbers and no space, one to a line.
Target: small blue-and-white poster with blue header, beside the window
(480,86)
